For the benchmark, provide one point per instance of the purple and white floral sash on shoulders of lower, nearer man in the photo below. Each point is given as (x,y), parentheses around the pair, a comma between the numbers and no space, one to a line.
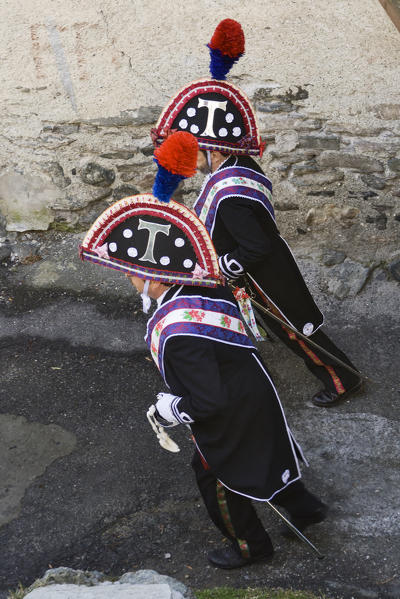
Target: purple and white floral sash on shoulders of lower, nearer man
(218,320)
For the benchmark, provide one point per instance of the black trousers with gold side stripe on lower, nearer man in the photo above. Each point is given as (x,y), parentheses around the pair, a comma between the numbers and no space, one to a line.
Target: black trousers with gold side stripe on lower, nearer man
(234,515)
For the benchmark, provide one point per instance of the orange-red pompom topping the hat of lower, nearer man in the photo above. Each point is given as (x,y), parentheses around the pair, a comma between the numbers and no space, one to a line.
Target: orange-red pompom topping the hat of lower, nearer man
(178,154)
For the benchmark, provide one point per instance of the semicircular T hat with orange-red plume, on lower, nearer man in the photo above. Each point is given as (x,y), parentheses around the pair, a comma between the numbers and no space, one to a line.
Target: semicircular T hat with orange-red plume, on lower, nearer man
(151,236)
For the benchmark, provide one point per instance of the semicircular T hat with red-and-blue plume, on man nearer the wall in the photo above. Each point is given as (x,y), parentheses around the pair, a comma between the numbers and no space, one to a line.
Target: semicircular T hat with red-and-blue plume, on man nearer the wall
(217,112)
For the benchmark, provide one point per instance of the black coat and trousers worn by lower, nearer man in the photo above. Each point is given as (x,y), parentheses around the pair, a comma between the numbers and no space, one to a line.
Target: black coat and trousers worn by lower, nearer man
(245,449)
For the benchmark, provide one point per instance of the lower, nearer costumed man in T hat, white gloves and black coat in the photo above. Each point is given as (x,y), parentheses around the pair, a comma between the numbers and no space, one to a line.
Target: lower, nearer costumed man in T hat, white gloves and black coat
(218,384)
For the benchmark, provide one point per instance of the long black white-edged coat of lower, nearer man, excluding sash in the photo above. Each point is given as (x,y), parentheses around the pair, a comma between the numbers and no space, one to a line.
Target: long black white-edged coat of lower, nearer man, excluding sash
(239,424)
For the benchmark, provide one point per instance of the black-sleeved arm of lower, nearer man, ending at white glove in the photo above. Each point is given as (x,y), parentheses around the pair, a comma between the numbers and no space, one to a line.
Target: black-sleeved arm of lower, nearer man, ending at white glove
(193,373)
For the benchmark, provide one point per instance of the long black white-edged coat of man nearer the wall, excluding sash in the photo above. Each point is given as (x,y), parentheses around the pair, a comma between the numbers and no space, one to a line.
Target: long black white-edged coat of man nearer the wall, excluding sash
(246,233)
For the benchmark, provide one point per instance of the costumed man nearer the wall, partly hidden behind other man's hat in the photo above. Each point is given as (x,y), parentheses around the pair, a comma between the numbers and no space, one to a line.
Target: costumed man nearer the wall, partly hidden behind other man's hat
(235,206)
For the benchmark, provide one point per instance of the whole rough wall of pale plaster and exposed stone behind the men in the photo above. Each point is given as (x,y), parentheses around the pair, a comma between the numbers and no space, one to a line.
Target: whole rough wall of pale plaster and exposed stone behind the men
(83,82)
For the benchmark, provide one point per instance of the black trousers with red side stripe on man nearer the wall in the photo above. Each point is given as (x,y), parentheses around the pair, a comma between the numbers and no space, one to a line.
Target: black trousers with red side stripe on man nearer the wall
(335,378)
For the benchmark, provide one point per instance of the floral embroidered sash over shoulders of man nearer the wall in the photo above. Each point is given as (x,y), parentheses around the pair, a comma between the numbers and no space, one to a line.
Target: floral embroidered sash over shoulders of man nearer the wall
(232,181)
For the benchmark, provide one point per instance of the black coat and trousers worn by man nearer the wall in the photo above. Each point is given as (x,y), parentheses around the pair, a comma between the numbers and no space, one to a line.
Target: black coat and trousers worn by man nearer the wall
(247,240)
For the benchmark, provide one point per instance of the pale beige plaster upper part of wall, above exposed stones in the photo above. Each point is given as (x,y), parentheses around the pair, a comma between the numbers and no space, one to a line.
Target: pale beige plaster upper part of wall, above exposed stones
(105,57)
